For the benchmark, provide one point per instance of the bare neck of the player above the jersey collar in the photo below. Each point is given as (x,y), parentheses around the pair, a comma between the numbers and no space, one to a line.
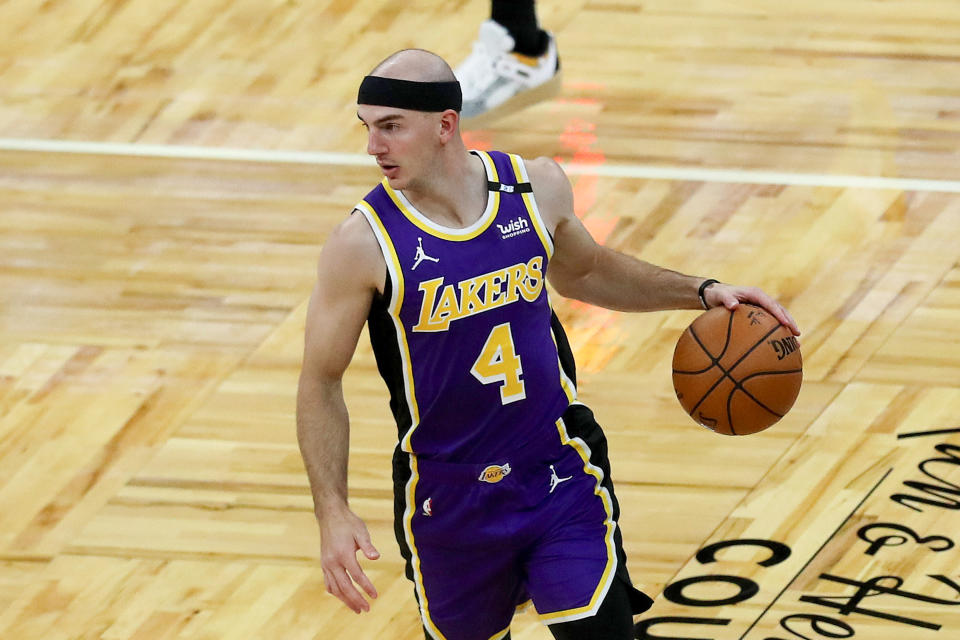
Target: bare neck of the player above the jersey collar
(455,193)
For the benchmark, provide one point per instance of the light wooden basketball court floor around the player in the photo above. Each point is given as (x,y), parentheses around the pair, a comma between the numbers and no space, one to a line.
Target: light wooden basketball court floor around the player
(152,308)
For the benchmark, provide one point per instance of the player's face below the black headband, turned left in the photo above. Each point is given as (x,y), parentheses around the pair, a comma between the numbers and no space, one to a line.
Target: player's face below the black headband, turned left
(399,140)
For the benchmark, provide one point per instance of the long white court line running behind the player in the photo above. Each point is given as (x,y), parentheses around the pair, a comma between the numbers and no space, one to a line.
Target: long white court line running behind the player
(737,176)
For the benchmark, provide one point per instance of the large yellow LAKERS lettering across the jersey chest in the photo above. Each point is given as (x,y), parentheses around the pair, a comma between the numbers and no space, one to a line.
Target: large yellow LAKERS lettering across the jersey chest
(442,304)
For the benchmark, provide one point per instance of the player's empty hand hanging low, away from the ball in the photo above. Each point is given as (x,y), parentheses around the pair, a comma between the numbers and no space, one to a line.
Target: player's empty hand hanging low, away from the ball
(341,536)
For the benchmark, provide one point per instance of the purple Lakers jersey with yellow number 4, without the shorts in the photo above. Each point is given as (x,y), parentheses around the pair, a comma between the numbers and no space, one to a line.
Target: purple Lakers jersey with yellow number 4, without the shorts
(465,336)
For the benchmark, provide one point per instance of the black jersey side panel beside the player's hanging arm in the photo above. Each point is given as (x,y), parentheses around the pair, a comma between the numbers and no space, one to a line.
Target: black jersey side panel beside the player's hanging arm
(386,350)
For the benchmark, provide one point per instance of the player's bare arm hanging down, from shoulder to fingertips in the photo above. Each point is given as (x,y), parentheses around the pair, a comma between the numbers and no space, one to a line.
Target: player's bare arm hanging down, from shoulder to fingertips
(350,270)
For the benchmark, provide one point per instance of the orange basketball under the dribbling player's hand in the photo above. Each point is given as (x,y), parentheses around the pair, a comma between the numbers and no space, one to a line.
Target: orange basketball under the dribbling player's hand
(737,372)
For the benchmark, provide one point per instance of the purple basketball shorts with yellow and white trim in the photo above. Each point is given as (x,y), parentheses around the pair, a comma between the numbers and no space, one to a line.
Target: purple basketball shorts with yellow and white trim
(482,540)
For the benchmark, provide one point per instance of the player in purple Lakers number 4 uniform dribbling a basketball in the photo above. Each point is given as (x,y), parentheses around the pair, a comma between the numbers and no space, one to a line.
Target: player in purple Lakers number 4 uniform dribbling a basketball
(503,486)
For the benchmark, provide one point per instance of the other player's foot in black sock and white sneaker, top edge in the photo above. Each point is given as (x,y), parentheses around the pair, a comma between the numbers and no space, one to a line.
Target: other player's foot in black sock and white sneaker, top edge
(513,63)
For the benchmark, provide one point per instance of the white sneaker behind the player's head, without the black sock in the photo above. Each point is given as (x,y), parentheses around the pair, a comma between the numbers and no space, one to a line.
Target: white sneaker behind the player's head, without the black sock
(496,80)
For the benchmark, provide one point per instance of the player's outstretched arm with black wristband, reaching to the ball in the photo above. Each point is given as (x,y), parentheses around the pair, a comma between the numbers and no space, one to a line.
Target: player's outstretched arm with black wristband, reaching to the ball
(587,271)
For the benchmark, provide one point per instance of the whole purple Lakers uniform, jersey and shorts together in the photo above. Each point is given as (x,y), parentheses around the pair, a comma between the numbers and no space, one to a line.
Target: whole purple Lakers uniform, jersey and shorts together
(502,485)
